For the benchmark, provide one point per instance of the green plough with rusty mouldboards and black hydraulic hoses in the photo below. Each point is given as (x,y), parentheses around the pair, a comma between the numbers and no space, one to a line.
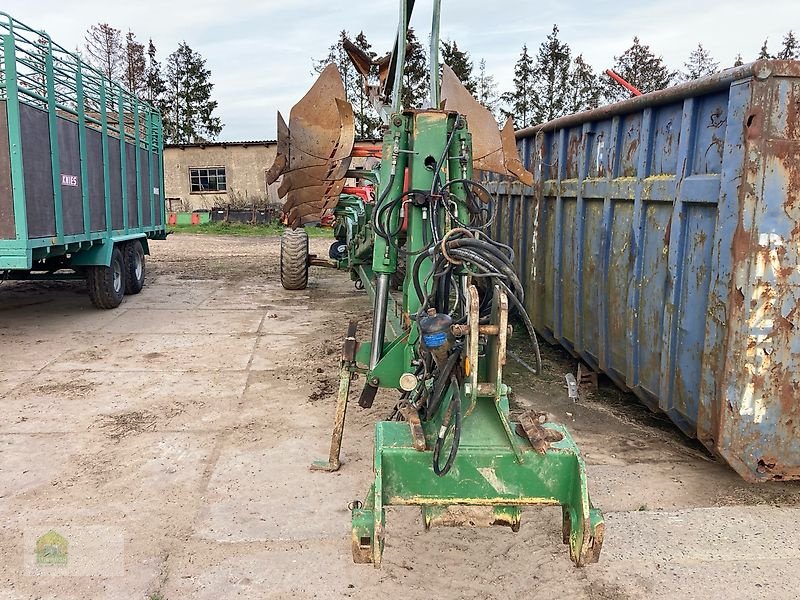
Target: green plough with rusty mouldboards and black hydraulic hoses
(442,293)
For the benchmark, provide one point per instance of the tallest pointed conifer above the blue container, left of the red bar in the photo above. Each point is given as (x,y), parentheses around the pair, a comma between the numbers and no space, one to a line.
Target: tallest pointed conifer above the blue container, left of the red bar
(551,78)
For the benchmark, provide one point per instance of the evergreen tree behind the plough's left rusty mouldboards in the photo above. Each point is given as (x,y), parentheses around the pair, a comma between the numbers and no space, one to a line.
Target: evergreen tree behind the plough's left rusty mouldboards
(366,117)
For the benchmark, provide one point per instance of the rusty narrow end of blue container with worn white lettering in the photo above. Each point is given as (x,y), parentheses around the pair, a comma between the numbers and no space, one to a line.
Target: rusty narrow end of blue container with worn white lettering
(759,432)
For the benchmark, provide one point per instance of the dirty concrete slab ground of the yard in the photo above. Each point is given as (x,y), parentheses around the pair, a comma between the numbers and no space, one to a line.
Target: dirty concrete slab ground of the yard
(169,442)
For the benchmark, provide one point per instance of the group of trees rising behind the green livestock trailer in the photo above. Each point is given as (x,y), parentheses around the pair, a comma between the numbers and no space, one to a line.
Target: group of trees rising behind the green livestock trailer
(181,89)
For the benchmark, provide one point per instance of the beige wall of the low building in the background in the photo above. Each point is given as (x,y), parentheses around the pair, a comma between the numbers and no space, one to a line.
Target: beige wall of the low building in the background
(245,172)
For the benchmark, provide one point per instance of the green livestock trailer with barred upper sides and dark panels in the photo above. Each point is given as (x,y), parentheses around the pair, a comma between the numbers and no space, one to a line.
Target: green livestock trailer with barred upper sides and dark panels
(81,170)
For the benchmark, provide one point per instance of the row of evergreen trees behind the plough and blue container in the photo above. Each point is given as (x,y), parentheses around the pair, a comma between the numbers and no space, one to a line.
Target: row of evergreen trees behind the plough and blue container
(552,83)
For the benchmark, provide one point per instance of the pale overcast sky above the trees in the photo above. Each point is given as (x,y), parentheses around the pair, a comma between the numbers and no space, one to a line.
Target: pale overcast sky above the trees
(260,52)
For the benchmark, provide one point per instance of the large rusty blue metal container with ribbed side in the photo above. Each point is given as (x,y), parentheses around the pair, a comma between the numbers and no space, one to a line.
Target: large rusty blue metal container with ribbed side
(660,243)
